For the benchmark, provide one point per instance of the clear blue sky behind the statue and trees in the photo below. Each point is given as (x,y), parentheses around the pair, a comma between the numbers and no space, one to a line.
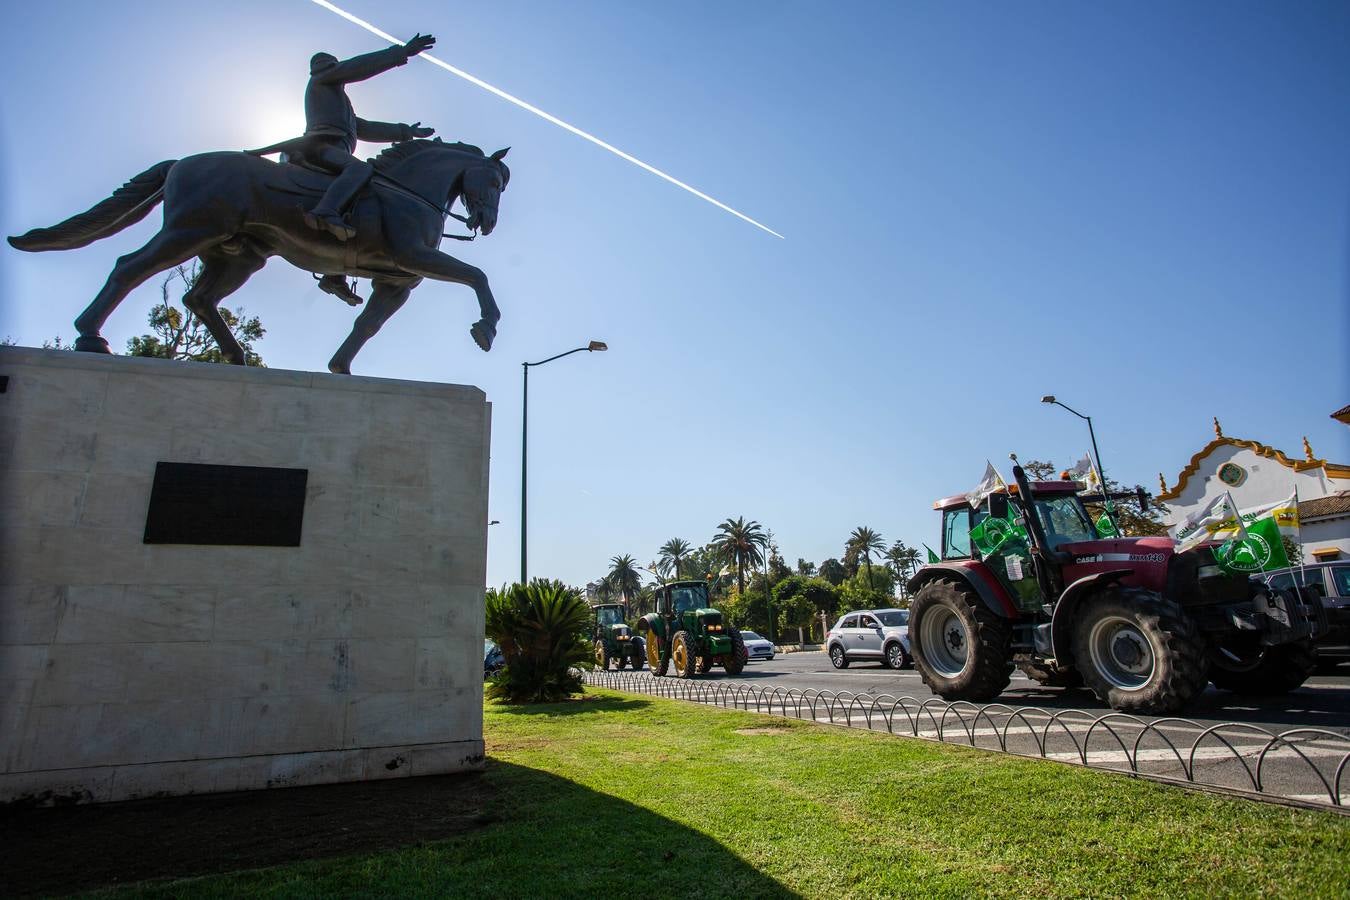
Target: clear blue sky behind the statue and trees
(1140,208)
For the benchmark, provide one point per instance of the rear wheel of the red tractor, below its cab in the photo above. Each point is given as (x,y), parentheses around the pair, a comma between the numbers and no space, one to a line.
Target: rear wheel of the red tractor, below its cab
(961,647)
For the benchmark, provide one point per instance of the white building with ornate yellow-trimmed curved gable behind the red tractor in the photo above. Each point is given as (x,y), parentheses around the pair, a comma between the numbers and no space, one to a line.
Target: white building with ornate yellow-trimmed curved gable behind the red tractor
(1258,474)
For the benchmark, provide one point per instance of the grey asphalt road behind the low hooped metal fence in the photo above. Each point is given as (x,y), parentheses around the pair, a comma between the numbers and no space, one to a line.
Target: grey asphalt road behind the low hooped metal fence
(1222,740)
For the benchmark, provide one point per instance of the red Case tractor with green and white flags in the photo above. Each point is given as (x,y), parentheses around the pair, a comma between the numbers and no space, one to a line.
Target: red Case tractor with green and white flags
(1140,624)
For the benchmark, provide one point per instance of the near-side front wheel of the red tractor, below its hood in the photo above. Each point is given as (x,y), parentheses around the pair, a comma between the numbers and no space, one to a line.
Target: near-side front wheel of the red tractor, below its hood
(1139,651)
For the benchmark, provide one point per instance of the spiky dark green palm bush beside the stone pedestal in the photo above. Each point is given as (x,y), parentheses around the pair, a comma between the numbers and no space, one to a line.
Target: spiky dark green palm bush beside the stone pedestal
(543,629)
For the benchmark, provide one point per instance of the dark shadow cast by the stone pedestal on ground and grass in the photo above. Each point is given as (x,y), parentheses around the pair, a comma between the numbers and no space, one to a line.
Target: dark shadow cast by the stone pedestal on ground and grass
(511,832)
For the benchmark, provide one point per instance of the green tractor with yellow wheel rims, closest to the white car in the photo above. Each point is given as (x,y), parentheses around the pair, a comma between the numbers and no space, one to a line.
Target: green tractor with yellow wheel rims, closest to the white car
(689,634)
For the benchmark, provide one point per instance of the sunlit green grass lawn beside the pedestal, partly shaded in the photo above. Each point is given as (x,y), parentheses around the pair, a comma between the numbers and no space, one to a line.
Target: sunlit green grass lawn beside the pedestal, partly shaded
(620,797)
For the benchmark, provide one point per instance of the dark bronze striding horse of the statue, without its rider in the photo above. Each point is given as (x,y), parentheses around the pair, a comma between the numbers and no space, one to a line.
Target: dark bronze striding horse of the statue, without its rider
(237,210)
